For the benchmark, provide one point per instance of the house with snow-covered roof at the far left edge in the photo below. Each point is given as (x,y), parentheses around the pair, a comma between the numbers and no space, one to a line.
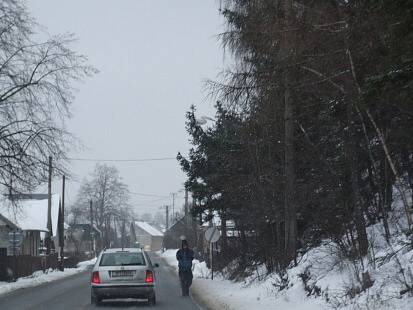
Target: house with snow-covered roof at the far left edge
(27,213)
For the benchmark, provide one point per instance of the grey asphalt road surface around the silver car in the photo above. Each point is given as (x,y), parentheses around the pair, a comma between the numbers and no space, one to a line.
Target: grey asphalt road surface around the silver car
(74,293)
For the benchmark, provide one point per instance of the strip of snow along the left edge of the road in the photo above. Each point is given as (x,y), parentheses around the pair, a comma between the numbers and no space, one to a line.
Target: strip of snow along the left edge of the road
(39,277)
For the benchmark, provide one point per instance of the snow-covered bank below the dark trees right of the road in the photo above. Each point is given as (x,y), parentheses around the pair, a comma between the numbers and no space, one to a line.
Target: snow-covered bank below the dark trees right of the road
(323,278)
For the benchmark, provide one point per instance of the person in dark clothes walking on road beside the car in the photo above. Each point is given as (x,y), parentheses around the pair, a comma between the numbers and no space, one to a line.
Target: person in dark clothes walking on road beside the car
(185,256)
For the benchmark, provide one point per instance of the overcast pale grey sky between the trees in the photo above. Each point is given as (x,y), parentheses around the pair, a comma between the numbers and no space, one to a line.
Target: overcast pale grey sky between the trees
(153,56)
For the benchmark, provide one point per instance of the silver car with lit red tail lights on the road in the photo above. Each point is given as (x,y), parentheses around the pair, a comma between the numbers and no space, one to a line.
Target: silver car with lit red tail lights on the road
(123,273)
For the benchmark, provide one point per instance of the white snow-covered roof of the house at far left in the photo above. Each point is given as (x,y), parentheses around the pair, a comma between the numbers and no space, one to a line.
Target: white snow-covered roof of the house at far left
(31,214)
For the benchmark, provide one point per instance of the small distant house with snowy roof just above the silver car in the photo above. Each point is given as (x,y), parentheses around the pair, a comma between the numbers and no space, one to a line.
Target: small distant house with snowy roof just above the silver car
(147,236)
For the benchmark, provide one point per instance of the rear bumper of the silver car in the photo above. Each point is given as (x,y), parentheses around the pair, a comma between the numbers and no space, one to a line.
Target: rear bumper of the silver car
(123,291)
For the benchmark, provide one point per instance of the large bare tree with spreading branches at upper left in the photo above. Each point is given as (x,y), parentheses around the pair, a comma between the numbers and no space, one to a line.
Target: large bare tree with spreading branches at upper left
(36,92)
